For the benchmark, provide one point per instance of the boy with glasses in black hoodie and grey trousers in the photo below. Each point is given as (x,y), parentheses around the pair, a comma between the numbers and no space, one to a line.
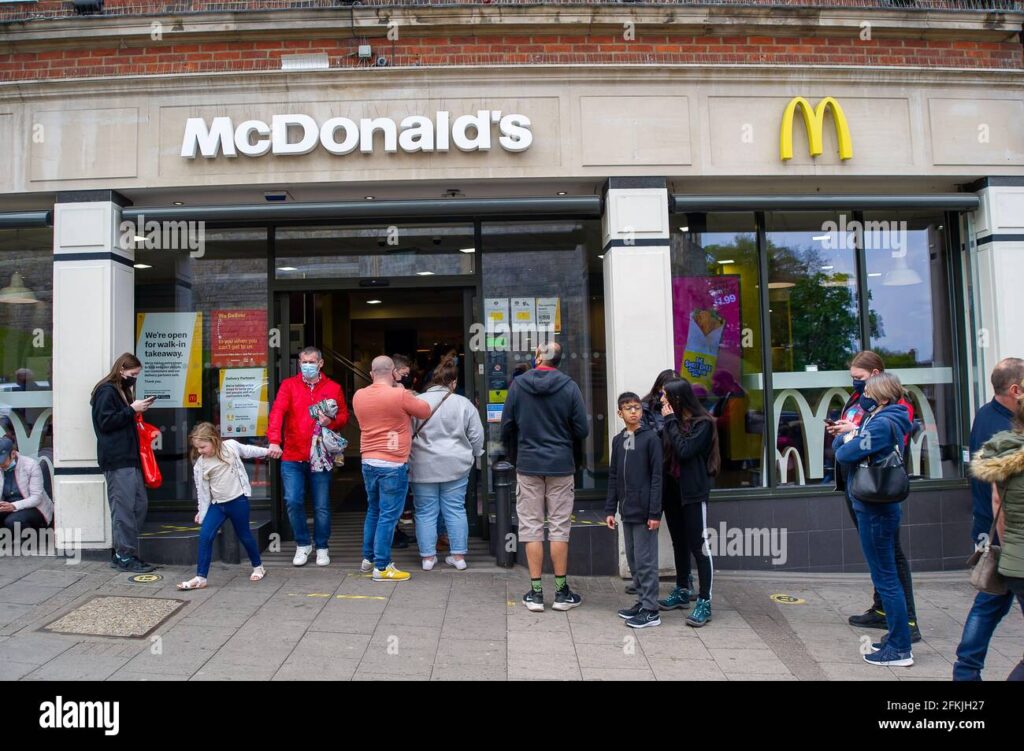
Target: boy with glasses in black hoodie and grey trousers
(635,489)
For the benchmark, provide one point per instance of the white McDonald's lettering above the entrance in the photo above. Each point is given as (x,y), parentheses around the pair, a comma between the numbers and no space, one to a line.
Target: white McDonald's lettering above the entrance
(295,135)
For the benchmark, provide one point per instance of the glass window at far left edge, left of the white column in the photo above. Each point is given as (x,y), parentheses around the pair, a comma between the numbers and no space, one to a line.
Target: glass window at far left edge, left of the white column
(26,342)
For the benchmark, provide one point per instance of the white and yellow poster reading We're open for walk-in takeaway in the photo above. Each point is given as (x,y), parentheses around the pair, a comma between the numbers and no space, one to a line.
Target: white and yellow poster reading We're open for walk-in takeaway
(170,348)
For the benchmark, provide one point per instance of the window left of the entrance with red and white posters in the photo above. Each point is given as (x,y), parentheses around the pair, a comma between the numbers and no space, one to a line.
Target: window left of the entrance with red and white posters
(227,287)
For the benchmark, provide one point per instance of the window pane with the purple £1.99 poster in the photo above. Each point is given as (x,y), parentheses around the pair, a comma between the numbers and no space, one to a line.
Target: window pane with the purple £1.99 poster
(717,330)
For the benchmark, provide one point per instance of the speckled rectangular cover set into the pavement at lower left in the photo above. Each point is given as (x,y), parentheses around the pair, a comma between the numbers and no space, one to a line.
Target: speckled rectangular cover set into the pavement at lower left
(124,617)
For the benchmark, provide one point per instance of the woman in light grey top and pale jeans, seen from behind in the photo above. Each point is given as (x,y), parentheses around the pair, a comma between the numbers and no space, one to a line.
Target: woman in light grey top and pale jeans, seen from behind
(445,447)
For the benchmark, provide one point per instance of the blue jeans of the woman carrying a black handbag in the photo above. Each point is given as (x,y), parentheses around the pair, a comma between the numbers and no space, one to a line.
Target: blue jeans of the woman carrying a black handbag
(879,526)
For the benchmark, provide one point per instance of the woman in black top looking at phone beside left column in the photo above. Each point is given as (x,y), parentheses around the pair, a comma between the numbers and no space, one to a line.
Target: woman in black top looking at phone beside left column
(114,410)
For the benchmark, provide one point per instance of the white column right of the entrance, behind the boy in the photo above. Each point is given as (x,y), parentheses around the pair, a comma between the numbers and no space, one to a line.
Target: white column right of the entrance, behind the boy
(638,300)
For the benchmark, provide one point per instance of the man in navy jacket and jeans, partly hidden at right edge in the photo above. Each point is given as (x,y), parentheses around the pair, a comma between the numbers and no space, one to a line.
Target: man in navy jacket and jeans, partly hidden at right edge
(988,610)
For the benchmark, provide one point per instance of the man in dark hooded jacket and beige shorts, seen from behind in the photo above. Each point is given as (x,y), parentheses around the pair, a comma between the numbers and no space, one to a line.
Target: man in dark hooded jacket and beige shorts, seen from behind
(543,419)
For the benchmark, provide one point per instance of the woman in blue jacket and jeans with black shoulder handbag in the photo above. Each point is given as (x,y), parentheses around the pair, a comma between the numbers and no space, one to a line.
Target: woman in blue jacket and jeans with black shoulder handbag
(886,426)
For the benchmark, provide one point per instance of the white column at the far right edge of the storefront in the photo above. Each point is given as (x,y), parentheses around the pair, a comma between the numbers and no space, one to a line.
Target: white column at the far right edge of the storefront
(999,230)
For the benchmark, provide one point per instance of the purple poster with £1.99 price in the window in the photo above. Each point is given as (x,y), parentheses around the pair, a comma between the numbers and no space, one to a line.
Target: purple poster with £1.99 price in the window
(706,312)
